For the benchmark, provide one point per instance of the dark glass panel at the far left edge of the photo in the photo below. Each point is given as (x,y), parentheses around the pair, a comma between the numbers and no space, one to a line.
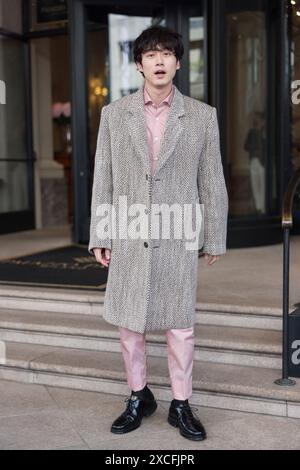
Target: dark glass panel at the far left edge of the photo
(13,173)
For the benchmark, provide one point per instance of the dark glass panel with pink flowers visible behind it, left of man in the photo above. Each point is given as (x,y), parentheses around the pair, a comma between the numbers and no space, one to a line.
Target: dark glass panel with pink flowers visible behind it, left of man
(52,115)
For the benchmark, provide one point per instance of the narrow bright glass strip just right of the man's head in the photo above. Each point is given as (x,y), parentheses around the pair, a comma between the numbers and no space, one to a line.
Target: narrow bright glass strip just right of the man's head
(196,55)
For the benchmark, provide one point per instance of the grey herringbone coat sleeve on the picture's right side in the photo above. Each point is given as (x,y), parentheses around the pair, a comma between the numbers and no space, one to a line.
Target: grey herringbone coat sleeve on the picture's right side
(212,191)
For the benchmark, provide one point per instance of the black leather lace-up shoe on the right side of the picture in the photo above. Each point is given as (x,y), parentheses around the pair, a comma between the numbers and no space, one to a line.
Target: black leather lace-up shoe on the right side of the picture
(181,415)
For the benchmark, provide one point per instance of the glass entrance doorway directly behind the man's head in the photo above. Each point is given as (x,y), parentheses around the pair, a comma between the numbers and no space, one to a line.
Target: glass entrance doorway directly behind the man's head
(112,72)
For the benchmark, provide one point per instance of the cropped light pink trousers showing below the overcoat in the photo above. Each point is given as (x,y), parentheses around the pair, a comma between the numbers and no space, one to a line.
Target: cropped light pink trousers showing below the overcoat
(180,343)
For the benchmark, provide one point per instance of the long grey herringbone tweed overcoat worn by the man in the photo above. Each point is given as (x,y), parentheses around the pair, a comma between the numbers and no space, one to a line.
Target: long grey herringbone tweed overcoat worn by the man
(151,282)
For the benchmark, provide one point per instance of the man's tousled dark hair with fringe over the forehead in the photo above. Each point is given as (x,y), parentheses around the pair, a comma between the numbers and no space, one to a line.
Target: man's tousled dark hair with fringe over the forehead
(157,36)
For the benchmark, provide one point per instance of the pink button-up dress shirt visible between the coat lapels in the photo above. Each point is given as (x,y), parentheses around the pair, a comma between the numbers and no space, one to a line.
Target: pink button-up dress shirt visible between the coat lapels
(156,119)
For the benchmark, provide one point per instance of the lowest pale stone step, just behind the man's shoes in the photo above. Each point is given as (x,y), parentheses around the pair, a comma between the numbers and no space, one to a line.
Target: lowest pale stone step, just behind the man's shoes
(241,388)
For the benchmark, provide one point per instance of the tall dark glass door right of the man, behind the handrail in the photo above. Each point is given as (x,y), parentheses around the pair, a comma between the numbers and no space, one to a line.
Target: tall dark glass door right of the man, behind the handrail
(253,92)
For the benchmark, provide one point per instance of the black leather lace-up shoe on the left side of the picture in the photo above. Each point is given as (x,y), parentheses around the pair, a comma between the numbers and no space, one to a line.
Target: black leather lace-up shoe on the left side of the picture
(139,404)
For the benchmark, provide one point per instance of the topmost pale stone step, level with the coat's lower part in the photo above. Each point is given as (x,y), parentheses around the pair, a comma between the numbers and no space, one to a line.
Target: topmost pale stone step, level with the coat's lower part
(91,303)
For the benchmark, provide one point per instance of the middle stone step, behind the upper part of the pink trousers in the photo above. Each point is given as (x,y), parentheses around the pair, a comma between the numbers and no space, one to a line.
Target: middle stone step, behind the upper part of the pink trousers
(240,346)
